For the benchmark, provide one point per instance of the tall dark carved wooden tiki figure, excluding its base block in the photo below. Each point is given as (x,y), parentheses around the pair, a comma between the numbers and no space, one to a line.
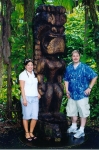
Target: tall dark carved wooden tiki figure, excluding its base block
(49,48)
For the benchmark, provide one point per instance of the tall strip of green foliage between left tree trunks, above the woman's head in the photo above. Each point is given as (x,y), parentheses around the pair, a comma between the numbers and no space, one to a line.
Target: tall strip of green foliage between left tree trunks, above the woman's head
(17,38)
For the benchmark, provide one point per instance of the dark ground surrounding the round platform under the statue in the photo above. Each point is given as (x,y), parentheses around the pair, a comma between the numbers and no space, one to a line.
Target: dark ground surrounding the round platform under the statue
(10,133)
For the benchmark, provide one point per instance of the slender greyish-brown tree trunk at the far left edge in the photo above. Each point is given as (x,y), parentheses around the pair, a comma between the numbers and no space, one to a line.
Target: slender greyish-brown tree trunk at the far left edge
(6,12)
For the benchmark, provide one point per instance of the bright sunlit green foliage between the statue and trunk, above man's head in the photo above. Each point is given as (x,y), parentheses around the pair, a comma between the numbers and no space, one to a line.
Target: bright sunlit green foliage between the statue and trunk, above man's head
(74,31)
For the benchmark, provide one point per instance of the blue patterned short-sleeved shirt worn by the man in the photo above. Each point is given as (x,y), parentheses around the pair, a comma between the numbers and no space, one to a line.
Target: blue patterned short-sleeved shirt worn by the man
(79,79)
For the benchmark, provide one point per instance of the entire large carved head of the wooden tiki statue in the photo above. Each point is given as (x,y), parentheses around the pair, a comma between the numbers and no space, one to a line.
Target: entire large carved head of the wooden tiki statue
(49,31)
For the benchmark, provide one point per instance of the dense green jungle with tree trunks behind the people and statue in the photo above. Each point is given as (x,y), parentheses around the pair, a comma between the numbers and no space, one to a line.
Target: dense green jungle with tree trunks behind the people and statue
(17,43)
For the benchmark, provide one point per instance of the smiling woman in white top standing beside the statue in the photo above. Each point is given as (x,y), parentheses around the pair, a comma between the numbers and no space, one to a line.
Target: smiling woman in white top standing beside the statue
(29,99)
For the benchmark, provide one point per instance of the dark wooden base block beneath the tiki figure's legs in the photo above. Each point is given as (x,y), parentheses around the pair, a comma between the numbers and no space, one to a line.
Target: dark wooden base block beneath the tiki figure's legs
(52,126)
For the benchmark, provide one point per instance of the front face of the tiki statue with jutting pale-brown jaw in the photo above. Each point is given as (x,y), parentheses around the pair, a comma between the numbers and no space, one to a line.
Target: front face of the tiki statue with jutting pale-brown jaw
(53,40)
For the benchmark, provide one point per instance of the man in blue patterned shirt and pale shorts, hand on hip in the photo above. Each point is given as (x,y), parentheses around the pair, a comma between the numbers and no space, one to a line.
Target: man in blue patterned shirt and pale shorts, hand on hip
(79,80)
